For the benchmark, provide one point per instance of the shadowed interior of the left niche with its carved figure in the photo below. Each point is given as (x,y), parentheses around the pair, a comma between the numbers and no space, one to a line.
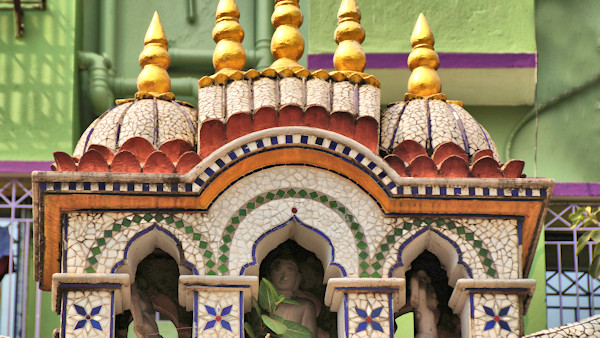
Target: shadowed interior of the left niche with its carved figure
(155,289)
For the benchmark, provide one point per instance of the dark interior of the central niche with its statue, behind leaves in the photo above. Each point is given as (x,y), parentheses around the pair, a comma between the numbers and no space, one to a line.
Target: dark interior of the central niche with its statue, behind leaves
(298,274)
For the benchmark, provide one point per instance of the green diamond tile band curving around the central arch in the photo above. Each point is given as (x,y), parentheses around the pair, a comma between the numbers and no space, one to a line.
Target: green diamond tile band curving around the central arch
(336,206)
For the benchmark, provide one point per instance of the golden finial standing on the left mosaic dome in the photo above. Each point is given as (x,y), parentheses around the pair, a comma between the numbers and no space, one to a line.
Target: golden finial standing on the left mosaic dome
(154,59)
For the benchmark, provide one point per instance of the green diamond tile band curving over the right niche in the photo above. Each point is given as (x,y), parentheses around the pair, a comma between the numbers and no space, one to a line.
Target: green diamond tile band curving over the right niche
(396,235)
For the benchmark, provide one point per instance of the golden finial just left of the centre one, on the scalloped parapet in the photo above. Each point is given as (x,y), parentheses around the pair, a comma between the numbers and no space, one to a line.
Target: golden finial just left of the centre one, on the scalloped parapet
(229,55)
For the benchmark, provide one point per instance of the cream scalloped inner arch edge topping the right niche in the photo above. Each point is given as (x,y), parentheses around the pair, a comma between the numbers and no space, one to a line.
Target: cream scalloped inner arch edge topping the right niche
(447,251)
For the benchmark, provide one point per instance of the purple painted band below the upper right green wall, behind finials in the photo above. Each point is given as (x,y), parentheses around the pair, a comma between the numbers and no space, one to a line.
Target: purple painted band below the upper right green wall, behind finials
(447,60)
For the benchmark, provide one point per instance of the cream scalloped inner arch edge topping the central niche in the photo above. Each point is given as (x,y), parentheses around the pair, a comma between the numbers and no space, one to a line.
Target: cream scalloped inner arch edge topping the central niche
(306,236)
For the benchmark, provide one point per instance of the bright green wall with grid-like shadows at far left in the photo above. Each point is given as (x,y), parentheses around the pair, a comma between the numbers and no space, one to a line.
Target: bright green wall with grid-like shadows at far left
(37,80)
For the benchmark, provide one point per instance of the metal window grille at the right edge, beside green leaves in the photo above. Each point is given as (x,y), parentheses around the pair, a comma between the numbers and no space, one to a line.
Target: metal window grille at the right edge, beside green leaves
(571,293)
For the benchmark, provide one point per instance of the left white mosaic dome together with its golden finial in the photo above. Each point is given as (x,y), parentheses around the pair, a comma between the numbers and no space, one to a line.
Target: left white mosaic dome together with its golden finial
(154,114)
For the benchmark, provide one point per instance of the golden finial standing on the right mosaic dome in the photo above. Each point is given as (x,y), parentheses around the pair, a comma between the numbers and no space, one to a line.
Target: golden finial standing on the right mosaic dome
(423,61)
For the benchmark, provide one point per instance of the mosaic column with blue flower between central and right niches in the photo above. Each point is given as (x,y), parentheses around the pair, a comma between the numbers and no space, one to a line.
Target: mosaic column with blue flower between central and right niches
(365,306)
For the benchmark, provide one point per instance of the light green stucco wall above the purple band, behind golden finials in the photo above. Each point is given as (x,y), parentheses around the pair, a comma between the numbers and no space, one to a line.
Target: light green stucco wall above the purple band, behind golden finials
(458,26)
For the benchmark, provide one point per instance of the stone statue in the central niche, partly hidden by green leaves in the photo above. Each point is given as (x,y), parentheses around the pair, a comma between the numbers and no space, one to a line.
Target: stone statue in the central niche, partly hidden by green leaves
(286,277)
